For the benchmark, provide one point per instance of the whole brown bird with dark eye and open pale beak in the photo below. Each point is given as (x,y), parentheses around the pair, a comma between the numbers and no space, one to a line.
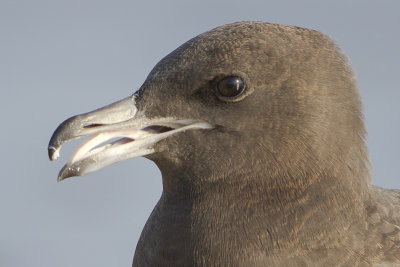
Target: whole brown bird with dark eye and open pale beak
(257,129)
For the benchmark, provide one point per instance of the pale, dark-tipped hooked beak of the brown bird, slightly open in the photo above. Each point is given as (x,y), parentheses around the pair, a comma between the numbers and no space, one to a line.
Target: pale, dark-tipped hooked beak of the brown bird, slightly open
(134,135)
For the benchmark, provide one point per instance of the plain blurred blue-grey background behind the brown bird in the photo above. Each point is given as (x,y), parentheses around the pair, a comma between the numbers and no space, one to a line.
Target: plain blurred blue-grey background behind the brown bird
(61,58)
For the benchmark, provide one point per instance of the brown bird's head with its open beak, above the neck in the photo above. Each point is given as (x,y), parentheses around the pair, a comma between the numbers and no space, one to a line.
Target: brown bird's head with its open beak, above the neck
(243,97)
